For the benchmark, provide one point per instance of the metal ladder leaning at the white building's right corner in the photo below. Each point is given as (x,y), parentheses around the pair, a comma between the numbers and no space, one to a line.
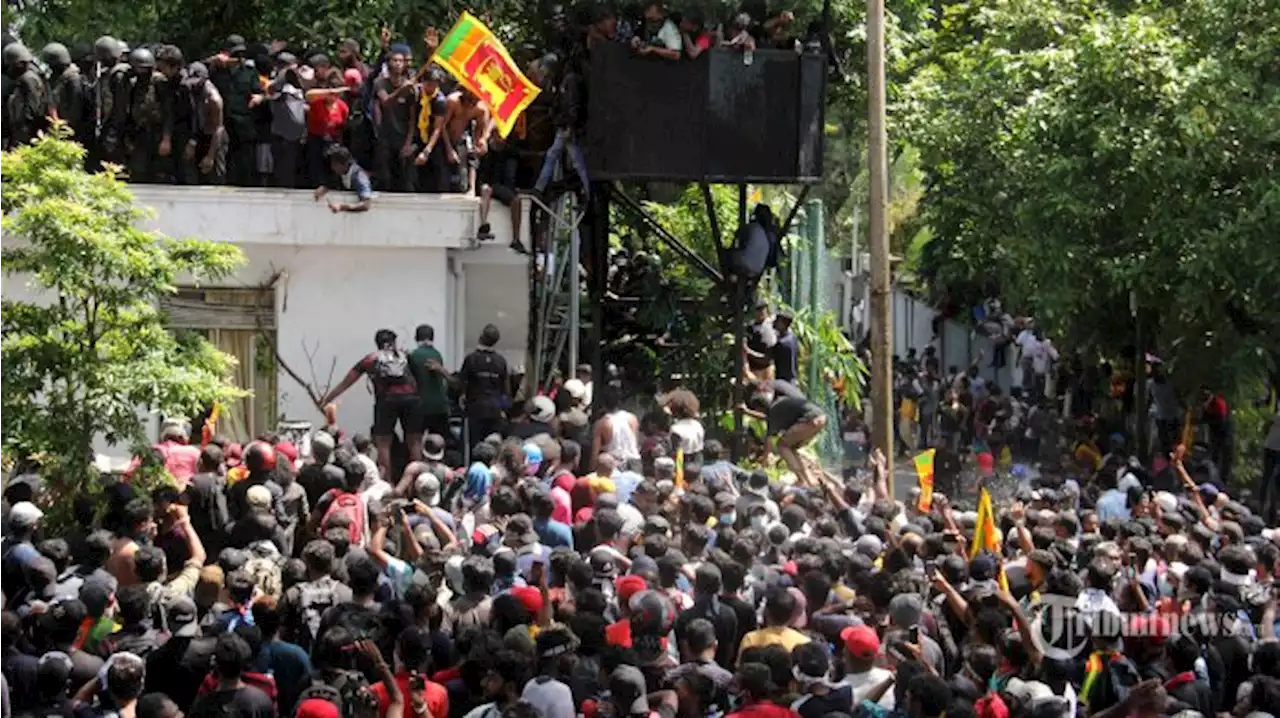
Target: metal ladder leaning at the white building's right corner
(559,291)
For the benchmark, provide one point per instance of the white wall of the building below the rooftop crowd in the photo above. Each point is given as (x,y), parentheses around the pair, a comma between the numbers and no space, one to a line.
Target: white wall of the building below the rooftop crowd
(340,278)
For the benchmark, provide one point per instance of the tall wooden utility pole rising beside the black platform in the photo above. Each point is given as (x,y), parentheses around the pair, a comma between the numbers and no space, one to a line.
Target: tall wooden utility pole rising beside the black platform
(881,319)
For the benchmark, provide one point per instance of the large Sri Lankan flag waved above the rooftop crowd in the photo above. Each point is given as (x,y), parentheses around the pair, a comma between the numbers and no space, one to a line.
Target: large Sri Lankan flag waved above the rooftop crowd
(473,56)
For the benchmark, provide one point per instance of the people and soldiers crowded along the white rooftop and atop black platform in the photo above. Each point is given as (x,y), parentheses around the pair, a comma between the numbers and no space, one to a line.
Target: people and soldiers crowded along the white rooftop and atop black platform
(276,115)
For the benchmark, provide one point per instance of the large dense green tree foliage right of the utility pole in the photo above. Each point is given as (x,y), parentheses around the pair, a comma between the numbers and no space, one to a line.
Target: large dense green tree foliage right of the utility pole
(1081,153)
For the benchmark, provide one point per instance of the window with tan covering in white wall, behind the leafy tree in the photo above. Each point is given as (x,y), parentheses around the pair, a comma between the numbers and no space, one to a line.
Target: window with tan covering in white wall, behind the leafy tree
(243,324)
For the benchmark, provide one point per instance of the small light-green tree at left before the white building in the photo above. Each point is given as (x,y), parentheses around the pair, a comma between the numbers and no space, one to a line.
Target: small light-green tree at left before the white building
(89,349)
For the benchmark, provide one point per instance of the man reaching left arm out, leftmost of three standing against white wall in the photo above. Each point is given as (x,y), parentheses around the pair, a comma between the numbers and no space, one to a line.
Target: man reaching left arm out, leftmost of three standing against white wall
(395,397)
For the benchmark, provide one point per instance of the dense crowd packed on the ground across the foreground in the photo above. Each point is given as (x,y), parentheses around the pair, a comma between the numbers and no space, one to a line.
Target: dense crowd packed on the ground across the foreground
(580,560)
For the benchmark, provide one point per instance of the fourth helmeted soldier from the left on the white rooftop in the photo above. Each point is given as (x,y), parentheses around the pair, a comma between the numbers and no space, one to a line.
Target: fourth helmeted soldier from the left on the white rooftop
(143,115)
